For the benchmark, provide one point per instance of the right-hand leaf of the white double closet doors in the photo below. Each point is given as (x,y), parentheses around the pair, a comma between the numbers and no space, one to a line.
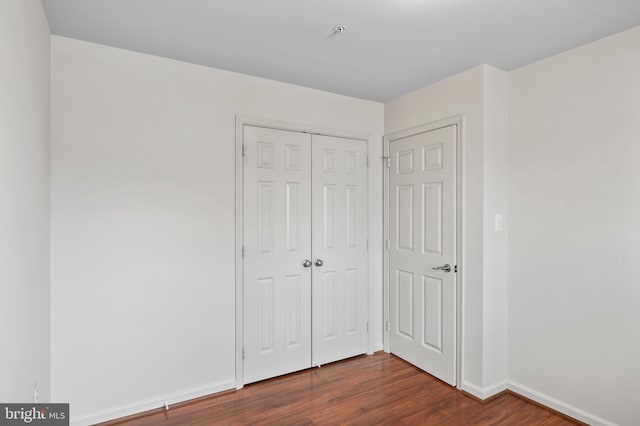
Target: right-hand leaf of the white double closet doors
(339,248)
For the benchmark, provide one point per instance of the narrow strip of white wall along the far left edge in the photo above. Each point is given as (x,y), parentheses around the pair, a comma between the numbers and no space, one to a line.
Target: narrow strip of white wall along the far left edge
(24,194)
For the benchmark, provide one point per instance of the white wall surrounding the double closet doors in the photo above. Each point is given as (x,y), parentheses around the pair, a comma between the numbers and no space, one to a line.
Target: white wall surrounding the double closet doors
(143,220)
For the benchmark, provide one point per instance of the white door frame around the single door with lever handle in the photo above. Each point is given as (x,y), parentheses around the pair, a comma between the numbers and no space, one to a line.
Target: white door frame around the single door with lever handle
(458,121)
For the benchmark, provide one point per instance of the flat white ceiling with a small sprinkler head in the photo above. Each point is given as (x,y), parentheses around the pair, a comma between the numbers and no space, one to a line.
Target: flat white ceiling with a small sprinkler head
(390,47)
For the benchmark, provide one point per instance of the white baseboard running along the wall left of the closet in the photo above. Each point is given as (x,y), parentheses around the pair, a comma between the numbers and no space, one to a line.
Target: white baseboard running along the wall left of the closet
(157,402)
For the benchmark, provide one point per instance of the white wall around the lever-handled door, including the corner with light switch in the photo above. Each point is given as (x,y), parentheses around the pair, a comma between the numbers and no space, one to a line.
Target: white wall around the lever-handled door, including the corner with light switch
(469,94)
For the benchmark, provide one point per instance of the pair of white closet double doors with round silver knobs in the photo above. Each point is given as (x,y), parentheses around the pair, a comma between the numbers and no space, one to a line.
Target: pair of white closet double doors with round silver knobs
(305,251)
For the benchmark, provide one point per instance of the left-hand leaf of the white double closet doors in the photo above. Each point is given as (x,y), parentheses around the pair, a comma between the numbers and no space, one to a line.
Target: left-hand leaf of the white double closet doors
(277,230)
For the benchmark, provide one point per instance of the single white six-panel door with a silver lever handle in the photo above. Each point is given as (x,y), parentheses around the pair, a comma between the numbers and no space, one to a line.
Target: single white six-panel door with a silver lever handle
(422,232)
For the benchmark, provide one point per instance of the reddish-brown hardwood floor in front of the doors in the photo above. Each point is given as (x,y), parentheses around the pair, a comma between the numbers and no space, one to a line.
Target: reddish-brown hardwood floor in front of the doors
(367,390)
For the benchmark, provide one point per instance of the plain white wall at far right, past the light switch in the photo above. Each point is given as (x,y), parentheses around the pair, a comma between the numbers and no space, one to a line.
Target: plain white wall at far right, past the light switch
(574,230)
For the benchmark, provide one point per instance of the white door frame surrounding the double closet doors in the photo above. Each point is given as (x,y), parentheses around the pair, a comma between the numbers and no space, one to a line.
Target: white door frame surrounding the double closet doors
(241,122)
